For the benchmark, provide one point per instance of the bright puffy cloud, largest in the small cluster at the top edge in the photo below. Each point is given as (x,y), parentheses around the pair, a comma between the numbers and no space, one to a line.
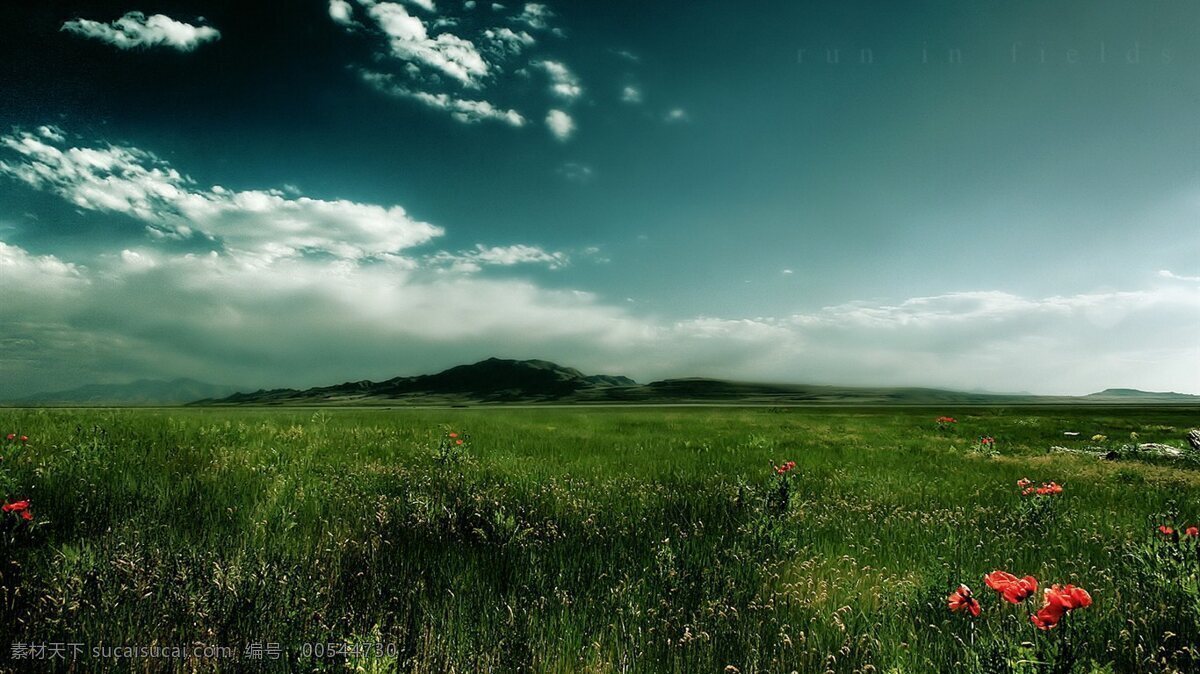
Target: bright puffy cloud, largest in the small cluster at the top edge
(411,41)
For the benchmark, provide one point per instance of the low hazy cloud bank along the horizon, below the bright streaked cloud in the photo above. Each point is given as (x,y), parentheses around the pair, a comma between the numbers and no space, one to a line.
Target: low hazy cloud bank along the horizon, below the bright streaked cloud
(304,322)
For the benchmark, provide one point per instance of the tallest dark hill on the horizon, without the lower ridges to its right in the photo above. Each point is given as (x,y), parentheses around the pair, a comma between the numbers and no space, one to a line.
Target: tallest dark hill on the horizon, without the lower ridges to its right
(490,381)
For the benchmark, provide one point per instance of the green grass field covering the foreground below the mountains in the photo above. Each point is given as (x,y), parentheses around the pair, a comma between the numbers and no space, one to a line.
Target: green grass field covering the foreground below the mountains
(595,540)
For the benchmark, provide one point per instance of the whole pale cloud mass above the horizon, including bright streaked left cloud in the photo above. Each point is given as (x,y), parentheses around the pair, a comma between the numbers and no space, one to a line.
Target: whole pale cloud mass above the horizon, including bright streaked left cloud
(297,291)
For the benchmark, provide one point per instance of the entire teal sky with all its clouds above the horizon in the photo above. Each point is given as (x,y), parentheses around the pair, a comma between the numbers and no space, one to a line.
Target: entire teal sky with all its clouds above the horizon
(976,195)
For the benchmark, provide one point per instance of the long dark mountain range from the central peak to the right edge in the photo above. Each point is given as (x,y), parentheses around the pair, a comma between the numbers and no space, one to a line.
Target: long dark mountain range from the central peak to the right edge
(496,381)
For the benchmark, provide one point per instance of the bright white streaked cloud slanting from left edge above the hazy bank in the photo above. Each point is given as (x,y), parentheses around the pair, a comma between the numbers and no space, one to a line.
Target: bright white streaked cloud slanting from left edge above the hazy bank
(261,224)
